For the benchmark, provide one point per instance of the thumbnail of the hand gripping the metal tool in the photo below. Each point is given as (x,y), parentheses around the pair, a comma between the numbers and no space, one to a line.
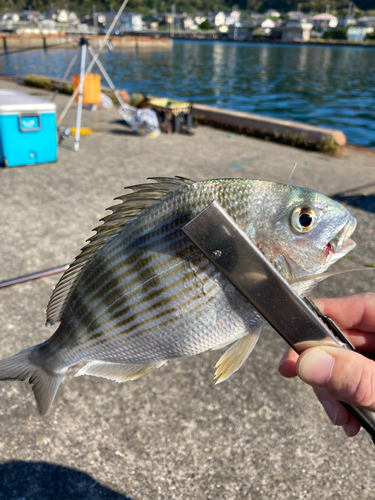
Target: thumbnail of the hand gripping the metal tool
(316,367)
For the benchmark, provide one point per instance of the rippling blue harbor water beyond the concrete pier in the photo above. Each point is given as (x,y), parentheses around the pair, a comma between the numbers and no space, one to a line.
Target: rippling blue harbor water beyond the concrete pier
(326,86)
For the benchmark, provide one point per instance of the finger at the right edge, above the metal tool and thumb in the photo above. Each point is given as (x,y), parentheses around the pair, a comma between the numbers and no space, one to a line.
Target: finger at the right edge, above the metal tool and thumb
(356,312)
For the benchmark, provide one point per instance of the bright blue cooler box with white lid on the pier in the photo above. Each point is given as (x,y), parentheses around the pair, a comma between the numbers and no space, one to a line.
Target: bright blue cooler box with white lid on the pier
(28,133)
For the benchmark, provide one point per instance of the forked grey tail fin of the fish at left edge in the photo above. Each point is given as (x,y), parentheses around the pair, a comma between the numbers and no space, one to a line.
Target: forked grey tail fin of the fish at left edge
(44,382)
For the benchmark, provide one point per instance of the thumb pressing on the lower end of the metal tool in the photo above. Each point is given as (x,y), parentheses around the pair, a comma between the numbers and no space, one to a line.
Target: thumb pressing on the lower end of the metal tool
(342,374)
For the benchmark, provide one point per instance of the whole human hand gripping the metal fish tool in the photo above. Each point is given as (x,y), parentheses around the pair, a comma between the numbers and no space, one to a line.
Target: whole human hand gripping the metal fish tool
(336,373)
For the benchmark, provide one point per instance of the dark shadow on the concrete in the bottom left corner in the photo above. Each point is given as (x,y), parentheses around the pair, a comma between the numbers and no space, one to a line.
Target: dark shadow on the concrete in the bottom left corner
(41,480)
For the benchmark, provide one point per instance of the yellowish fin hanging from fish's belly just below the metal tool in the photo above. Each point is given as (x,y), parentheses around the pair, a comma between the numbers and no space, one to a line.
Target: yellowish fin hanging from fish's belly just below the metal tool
(235,356)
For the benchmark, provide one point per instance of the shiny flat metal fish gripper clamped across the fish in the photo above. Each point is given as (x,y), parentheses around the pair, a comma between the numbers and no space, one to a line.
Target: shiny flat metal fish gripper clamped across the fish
(233,253)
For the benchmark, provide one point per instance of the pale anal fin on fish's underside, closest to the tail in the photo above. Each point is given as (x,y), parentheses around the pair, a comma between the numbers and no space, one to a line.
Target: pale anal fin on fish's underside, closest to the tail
(116,371)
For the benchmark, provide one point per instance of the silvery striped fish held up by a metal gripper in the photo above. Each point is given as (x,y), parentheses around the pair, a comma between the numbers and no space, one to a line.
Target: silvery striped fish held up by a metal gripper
(140,293)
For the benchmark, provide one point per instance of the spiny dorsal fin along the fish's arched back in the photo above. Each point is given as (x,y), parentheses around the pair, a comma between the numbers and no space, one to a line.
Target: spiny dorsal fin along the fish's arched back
(131,206)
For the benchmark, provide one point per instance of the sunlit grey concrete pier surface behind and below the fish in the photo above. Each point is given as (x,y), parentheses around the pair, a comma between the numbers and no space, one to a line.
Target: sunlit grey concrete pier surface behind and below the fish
(172,434)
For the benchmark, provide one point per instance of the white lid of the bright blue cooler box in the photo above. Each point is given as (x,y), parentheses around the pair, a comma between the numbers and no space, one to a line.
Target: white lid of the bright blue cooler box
(16,102)
